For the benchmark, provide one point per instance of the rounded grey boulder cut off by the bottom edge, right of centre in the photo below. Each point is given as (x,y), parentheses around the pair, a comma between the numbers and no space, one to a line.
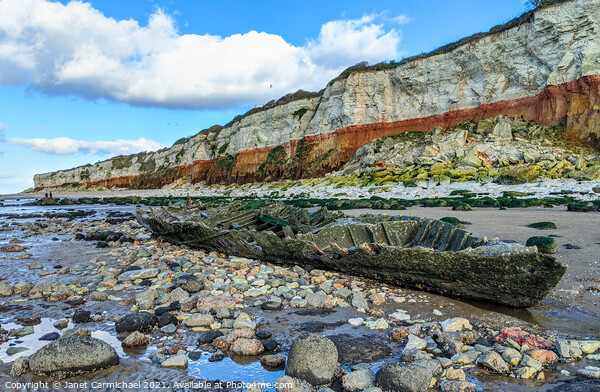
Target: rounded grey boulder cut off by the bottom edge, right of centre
(403,377)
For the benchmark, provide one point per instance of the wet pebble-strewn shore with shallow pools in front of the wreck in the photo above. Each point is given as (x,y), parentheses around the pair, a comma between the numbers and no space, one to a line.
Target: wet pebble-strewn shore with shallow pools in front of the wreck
(172,305)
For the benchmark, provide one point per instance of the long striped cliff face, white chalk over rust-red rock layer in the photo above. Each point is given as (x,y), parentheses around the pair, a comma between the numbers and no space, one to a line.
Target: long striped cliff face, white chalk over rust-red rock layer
(545,69)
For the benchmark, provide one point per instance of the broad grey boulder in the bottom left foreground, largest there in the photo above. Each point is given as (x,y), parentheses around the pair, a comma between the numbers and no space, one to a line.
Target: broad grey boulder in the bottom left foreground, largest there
(75,355)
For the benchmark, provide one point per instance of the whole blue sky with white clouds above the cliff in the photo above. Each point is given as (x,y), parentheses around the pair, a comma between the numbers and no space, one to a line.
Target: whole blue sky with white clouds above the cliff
(83,81)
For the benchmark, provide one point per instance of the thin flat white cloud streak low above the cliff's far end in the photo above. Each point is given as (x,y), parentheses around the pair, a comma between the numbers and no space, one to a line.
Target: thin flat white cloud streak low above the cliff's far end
(65,146)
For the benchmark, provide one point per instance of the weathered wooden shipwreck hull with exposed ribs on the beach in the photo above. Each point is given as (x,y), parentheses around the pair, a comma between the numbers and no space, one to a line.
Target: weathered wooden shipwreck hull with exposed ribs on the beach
(415,252)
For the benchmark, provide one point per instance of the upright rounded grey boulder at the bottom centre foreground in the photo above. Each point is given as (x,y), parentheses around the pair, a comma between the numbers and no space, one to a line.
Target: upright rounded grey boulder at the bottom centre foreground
(312,358)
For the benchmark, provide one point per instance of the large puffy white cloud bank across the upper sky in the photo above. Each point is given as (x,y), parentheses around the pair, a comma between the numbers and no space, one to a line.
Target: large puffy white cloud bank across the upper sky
(74,49)
